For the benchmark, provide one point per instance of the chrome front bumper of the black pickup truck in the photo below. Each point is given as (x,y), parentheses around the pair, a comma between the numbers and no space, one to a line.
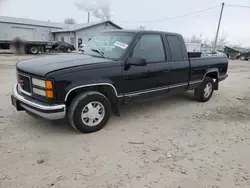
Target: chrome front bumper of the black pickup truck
(51,112)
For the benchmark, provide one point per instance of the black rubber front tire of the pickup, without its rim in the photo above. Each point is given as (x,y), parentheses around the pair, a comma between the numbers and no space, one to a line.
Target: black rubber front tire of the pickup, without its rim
(77,106)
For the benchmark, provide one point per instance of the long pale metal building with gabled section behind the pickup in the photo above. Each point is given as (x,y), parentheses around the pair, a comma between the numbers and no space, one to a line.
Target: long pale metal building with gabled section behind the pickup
(34,30)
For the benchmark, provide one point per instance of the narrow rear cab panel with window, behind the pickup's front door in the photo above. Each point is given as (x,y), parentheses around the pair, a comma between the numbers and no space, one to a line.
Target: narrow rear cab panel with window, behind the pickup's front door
(178,76)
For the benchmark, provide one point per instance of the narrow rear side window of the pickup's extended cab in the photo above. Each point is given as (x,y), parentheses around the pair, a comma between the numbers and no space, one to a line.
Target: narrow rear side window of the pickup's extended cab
(175,48)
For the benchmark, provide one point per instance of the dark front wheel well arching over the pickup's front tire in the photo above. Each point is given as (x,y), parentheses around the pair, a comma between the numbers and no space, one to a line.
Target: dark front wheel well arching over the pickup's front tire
(108,91)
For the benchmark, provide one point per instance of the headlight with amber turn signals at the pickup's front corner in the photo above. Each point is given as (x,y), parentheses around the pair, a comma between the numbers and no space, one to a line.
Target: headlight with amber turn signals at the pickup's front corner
(46,87)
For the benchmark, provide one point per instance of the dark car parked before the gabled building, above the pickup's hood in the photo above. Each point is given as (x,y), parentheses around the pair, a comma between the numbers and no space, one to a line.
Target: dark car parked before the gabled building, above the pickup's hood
(60,46)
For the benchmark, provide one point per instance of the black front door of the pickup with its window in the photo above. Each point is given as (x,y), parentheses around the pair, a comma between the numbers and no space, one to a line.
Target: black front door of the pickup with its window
(153,75)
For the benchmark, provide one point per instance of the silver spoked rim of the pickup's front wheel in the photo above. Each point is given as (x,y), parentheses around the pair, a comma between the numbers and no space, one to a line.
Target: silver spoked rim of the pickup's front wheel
(93,113)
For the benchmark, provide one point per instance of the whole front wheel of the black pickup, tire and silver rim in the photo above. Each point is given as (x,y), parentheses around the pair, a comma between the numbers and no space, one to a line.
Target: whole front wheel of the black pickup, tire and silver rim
(89,112)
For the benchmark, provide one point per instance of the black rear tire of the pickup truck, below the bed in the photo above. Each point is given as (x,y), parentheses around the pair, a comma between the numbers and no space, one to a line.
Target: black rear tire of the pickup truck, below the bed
(200,93)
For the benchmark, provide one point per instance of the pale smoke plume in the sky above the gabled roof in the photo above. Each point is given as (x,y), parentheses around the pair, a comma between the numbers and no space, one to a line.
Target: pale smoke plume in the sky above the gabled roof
(97,8)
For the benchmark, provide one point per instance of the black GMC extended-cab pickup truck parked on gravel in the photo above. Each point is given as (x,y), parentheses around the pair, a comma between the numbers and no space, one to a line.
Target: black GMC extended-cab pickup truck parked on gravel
(115,67)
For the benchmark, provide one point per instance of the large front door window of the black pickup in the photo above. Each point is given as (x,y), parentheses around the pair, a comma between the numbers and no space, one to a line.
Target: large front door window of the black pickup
(150,47)
